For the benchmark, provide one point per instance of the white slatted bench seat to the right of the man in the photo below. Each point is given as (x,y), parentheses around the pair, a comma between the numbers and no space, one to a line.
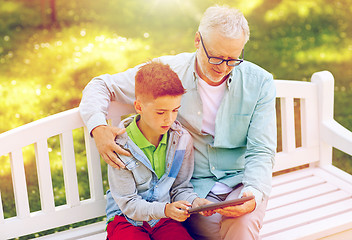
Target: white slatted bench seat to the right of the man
(309,204)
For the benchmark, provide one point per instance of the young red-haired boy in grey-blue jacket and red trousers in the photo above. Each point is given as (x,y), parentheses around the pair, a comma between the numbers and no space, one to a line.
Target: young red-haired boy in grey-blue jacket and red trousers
(160,166)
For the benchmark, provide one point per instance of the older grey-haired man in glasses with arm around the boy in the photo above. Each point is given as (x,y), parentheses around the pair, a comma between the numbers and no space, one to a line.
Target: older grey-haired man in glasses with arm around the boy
(229,109)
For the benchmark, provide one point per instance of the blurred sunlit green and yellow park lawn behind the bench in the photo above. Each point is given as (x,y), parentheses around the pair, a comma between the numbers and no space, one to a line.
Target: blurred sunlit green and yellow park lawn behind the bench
(50,49)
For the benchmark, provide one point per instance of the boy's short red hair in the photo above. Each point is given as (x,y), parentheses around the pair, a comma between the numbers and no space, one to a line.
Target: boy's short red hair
(157,80)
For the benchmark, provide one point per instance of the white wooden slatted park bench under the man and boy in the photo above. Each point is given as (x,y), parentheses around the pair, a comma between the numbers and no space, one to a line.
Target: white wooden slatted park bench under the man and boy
(310,203)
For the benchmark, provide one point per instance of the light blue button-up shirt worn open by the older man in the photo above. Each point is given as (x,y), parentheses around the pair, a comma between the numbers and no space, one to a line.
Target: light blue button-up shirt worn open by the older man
(243,148)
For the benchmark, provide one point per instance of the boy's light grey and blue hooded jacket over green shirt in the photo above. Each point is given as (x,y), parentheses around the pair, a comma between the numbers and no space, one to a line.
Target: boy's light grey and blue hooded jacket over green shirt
(136,192)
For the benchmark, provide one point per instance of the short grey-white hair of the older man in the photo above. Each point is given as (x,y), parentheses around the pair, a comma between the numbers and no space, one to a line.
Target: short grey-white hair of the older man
(230,22)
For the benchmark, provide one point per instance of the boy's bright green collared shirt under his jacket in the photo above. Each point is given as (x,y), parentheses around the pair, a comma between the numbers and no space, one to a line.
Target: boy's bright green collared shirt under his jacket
(155,155)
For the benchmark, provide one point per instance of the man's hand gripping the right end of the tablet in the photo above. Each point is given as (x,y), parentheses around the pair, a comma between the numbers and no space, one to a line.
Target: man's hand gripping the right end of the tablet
(239,210)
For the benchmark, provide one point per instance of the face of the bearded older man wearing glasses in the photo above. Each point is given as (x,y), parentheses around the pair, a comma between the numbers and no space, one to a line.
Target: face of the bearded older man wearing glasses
(216,46)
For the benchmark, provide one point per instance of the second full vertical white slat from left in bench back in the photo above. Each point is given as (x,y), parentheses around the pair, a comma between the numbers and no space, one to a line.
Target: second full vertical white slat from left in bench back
(44,176)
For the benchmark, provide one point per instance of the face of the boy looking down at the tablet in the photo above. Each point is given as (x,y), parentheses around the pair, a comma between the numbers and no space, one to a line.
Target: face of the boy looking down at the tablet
(157,114)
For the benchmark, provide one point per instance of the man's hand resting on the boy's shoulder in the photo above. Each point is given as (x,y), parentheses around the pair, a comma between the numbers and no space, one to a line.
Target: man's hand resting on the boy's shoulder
(104,137)
